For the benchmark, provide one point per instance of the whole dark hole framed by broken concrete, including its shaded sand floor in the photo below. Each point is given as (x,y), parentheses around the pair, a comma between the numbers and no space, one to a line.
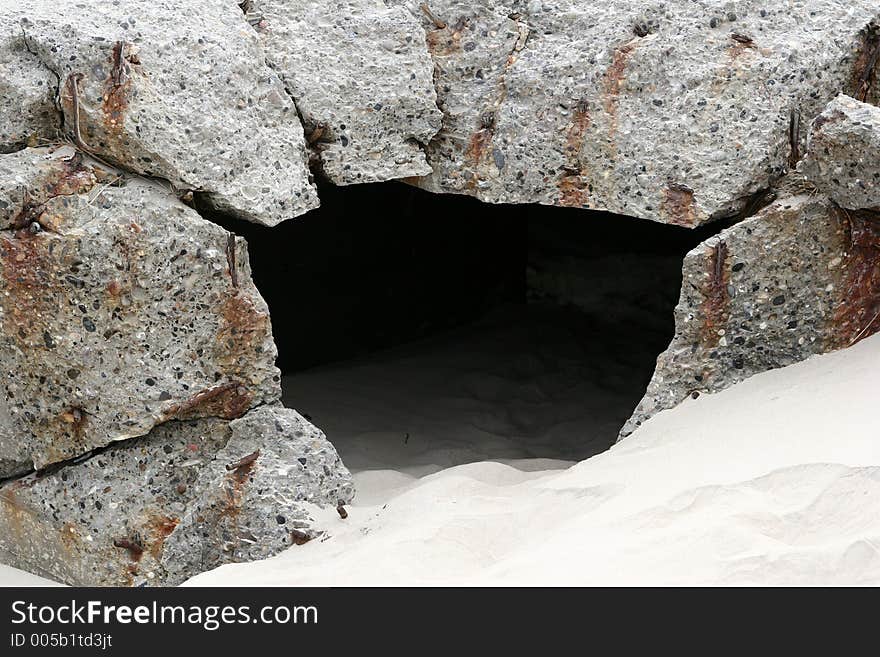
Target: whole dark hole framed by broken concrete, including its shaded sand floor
(421,331)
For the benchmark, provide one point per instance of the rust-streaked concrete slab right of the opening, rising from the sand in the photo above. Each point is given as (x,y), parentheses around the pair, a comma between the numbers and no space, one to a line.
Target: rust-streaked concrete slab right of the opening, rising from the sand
(799,278)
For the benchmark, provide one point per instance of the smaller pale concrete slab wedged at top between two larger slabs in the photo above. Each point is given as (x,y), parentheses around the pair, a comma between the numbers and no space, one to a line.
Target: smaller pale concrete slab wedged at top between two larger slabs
(362,80)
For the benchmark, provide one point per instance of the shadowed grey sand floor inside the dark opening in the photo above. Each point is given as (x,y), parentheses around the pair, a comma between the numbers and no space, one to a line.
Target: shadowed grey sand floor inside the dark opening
(521,384)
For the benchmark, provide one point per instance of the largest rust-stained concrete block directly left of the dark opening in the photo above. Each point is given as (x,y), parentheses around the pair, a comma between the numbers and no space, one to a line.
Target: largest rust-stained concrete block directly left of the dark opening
(120,309)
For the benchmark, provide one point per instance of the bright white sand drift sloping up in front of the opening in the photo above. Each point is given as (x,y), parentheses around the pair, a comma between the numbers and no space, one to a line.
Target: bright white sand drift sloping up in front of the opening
(774,481)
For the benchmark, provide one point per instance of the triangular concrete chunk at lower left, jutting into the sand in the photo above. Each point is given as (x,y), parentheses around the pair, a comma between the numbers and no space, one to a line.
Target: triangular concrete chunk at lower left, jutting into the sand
(255,498)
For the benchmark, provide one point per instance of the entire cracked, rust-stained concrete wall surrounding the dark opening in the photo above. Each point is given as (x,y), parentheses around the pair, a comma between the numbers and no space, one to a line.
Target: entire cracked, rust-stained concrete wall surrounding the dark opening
(141,440)
